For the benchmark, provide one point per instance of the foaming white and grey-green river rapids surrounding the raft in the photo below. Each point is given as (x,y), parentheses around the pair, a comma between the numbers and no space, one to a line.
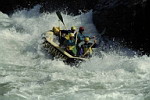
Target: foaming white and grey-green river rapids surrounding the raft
(26,73)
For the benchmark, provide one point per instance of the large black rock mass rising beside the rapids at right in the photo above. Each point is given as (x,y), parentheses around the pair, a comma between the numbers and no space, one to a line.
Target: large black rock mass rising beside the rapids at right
(126,20)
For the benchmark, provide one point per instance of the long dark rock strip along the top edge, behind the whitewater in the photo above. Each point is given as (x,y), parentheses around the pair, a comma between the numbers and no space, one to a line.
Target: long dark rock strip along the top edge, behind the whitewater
(70,6)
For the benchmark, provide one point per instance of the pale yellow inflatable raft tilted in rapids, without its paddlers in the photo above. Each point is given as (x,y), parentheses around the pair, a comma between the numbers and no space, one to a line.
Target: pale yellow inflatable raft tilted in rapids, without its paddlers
(51,45)
